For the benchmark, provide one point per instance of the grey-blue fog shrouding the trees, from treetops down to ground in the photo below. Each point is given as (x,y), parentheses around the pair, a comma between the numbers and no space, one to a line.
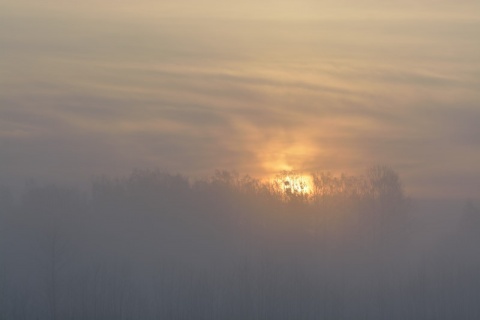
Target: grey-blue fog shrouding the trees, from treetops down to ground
(154,245)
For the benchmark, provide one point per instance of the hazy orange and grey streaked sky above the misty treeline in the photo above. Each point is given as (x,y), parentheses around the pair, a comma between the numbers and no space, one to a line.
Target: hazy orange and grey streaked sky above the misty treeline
(104,87)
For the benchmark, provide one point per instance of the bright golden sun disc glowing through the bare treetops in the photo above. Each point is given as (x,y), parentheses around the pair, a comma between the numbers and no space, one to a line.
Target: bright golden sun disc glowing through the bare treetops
(294,183)
